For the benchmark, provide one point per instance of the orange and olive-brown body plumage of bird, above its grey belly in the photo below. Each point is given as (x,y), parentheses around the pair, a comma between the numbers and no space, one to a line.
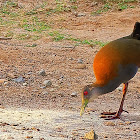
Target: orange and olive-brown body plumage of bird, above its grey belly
(111,56)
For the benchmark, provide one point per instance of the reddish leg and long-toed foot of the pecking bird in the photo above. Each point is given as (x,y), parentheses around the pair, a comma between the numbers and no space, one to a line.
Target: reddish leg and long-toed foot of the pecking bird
(117,114)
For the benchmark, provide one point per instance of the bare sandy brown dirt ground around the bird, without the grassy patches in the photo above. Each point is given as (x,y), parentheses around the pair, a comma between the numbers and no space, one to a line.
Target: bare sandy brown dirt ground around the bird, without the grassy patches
(32,112)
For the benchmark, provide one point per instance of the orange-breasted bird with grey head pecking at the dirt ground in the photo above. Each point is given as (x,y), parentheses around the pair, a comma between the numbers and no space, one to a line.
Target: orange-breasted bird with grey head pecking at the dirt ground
(114,64)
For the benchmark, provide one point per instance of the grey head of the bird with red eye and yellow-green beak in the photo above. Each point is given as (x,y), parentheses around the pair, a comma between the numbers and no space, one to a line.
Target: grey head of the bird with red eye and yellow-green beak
(88,94)
